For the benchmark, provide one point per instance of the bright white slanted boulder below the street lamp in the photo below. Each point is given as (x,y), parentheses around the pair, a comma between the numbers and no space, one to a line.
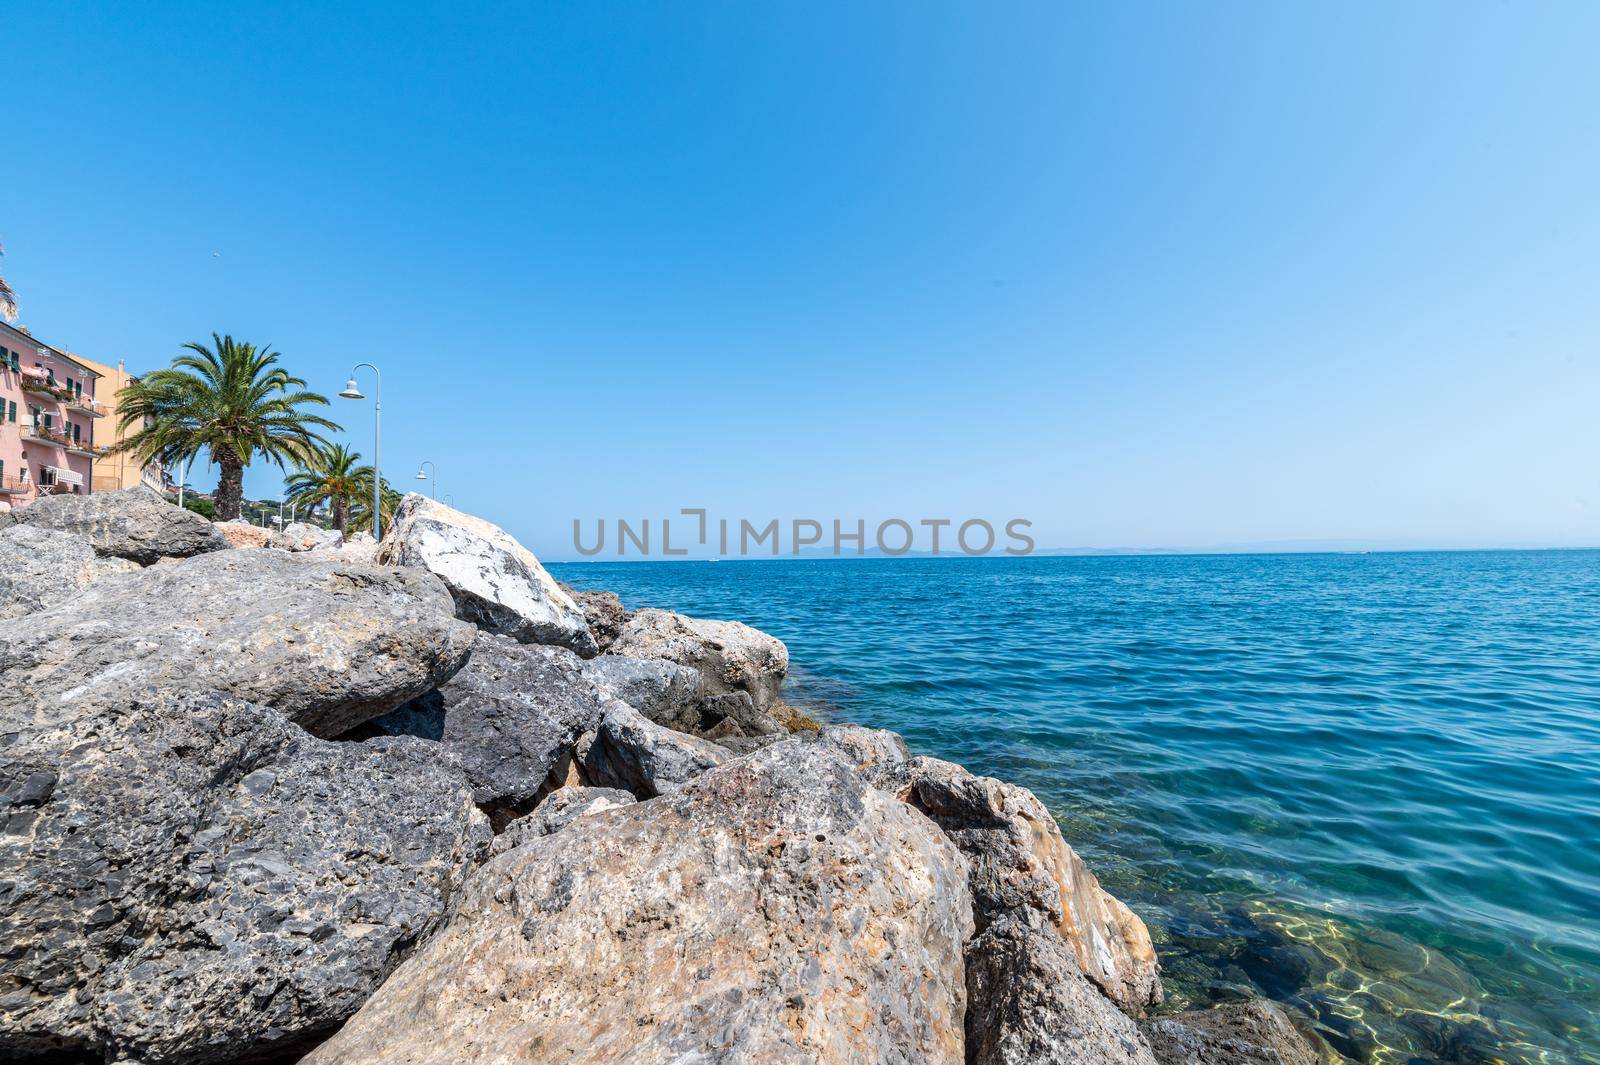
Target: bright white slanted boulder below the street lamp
(498,584)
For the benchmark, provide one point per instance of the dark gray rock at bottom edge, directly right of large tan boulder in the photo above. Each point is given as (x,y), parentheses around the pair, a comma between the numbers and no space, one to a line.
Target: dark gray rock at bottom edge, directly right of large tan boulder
(1031,1005)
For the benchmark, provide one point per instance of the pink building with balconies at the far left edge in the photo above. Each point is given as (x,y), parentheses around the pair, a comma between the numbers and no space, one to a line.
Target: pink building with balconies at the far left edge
(47,420)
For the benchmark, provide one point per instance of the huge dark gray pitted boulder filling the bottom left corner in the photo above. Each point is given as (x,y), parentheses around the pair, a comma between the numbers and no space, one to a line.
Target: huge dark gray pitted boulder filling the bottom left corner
(193,879)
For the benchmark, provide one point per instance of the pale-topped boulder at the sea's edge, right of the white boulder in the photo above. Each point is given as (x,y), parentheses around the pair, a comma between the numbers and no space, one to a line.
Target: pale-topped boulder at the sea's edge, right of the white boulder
(732,656)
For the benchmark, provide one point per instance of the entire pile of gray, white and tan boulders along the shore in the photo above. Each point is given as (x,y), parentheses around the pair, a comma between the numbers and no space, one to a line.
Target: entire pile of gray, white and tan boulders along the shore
(290,799)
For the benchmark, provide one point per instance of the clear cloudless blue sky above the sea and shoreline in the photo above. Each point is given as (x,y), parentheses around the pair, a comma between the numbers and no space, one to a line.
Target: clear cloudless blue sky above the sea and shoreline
(1146,276)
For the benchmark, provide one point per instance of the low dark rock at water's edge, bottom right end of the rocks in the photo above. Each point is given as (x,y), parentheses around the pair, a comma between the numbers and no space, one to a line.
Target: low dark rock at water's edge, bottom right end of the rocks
(1241,1034)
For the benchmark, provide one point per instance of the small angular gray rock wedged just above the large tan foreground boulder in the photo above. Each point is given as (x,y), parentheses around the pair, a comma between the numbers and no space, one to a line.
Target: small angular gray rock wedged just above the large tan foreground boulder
(634,754)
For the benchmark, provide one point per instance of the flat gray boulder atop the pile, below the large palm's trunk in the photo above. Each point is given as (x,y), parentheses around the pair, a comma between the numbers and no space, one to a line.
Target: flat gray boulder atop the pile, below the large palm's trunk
(135,524)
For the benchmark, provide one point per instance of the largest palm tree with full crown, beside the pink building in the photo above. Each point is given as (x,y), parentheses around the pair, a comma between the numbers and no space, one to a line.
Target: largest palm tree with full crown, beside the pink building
(233,401)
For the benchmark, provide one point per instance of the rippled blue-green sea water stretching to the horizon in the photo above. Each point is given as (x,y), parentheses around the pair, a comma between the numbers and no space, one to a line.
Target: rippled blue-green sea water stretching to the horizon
(1367,786)
